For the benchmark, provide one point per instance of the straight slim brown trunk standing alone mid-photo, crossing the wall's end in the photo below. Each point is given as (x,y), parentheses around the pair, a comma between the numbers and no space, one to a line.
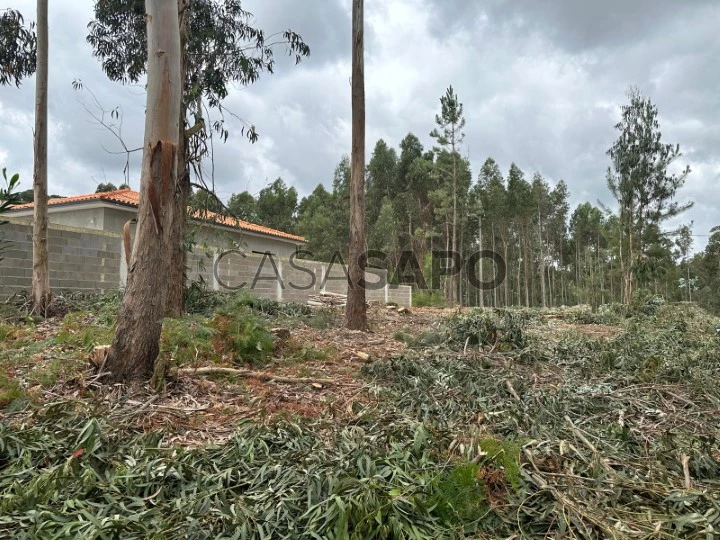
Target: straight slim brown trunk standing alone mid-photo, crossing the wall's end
(355,311)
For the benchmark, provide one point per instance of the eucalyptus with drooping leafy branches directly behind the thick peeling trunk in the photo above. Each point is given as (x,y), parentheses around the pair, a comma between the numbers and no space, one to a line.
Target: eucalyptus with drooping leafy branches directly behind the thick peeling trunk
(220,48)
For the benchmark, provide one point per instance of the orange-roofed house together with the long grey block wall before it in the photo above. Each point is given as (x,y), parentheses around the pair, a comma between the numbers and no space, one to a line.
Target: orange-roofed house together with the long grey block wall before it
(87,254)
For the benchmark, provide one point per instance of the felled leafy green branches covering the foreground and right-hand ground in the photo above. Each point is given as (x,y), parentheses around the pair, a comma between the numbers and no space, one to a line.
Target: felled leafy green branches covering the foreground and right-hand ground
(497,427)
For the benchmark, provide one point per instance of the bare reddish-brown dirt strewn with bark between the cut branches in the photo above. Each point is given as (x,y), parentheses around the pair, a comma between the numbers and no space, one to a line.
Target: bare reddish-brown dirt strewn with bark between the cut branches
(196,410)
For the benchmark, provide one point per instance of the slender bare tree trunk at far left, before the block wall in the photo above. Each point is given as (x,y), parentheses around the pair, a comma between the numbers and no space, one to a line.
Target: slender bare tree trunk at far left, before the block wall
(41,294)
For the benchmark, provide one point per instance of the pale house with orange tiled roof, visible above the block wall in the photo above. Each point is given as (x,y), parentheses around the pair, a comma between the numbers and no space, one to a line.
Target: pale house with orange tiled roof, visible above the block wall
(110,211)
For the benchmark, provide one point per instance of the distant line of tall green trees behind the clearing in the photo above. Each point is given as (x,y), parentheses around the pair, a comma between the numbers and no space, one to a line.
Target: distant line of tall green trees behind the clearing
(428,199)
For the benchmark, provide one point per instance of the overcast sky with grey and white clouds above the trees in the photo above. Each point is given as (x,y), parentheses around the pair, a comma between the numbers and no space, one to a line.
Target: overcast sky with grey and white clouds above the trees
(541,83)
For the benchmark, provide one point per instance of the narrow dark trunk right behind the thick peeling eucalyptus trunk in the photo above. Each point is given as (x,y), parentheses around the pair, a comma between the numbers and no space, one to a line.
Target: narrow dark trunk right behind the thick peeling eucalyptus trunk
(178,258)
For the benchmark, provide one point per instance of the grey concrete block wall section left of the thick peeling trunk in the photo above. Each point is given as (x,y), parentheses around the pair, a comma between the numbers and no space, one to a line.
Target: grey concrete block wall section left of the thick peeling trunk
(80,259)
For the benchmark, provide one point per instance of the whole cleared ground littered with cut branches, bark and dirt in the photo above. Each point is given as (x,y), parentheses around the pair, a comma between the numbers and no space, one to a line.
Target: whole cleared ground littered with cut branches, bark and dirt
(482,424)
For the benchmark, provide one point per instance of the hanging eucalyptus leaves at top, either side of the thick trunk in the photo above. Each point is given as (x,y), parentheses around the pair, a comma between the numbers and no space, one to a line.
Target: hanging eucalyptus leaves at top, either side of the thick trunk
(222,48)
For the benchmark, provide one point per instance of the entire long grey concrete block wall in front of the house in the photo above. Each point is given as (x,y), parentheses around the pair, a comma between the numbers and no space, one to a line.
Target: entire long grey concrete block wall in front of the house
(92,260)
